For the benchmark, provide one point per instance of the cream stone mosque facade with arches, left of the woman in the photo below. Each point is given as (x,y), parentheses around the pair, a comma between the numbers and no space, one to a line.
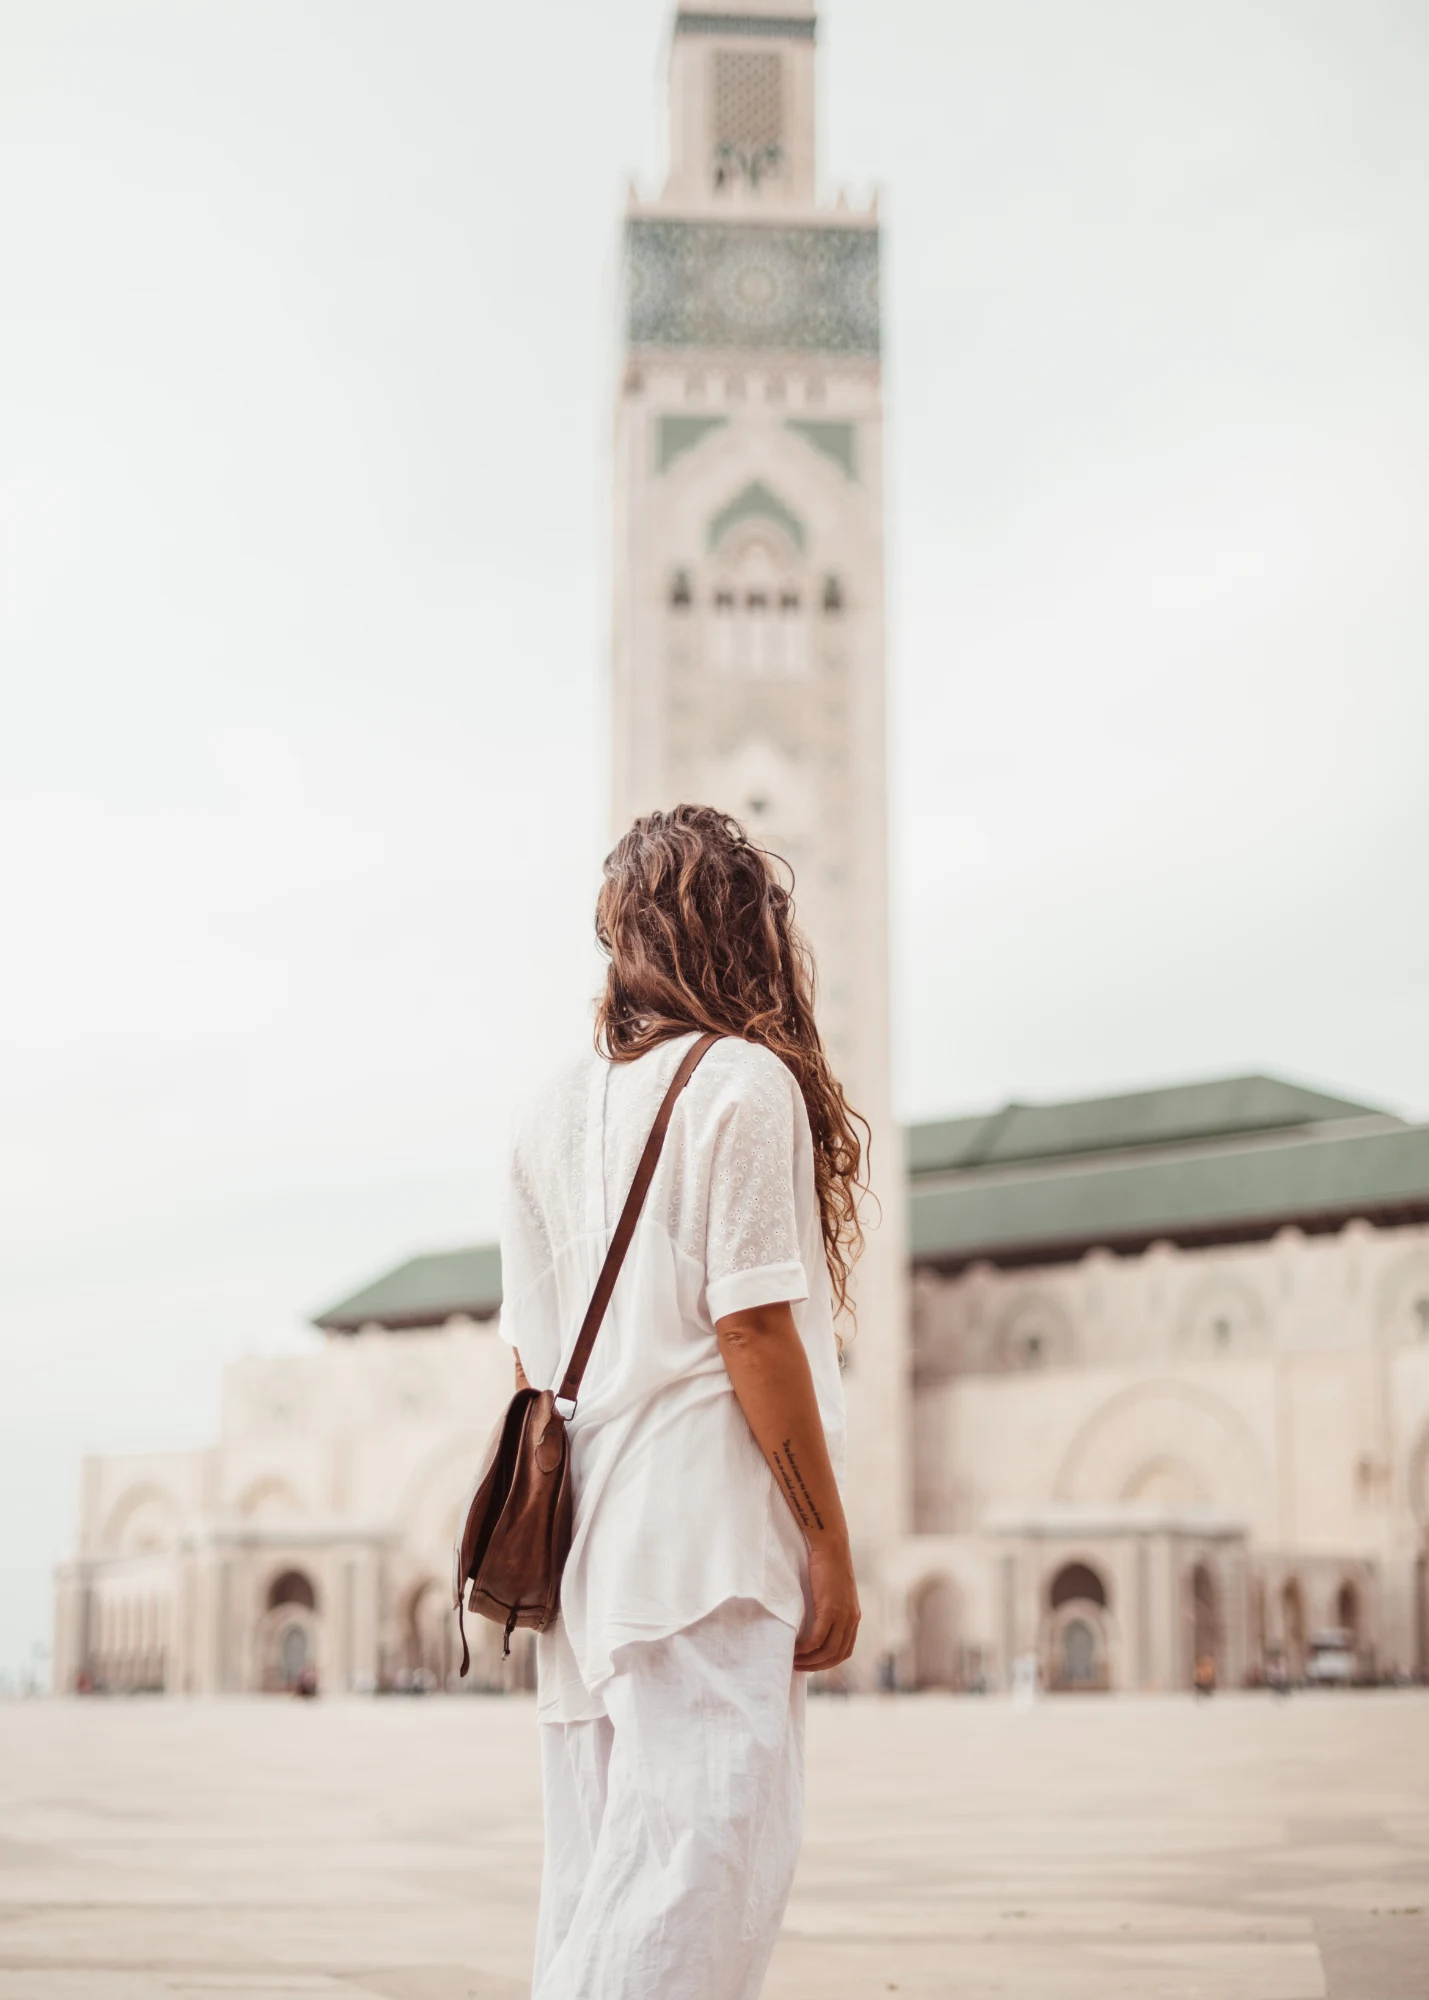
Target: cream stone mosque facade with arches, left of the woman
(311,1541)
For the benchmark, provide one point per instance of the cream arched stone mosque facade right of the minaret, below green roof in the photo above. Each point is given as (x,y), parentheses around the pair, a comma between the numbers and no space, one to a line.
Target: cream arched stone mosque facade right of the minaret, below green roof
(1234,1441)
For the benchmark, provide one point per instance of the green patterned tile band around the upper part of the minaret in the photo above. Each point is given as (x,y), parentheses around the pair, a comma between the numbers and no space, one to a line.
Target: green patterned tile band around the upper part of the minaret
(752,285)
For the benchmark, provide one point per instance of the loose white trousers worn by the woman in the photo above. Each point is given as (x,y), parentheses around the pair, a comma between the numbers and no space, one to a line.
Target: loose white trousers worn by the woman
(673,1823)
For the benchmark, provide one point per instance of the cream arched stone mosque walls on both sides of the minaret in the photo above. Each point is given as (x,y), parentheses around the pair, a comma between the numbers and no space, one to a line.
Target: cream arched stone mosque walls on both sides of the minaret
(1214,1491)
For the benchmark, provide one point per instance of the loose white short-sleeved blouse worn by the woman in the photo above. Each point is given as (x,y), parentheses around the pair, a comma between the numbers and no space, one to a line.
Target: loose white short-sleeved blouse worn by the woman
(675,1505)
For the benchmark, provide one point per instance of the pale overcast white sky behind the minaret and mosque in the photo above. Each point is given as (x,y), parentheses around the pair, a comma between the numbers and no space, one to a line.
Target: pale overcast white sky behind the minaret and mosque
(305,375)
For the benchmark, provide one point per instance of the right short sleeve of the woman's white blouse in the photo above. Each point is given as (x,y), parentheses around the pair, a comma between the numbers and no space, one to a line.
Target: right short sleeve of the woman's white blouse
(752,1237)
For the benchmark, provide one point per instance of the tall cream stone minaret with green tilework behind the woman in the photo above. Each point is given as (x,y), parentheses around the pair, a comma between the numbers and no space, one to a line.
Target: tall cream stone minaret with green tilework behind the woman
(750,589)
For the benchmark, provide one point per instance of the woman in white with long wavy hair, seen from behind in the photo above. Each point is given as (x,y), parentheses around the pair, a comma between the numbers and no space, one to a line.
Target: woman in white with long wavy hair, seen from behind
(709,1565)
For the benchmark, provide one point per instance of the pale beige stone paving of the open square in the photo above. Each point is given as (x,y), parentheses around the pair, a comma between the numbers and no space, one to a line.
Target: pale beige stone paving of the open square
(1242,1849)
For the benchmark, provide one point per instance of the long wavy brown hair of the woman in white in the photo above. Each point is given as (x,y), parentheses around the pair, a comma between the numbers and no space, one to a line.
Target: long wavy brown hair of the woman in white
(701,933)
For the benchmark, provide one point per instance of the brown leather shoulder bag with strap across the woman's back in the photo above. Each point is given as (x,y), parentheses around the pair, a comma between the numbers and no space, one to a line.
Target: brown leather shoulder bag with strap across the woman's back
(517,1533)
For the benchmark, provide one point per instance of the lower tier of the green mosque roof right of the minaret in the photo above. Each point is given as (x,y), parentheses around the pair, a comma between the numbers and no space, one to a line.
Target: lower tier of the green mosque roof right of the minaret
(1040,1213)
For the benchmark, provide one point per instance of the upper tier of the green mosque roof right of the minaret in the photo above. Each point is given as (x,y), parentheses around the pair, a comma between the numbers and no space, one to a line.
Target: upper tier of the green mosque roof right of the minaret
(1178,1115)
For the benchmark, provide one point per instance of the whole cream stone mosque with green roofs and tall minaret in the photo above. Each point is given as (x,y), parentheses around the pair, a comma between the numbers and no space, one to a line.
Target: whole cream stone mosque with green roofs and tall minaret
(1140,1383)
